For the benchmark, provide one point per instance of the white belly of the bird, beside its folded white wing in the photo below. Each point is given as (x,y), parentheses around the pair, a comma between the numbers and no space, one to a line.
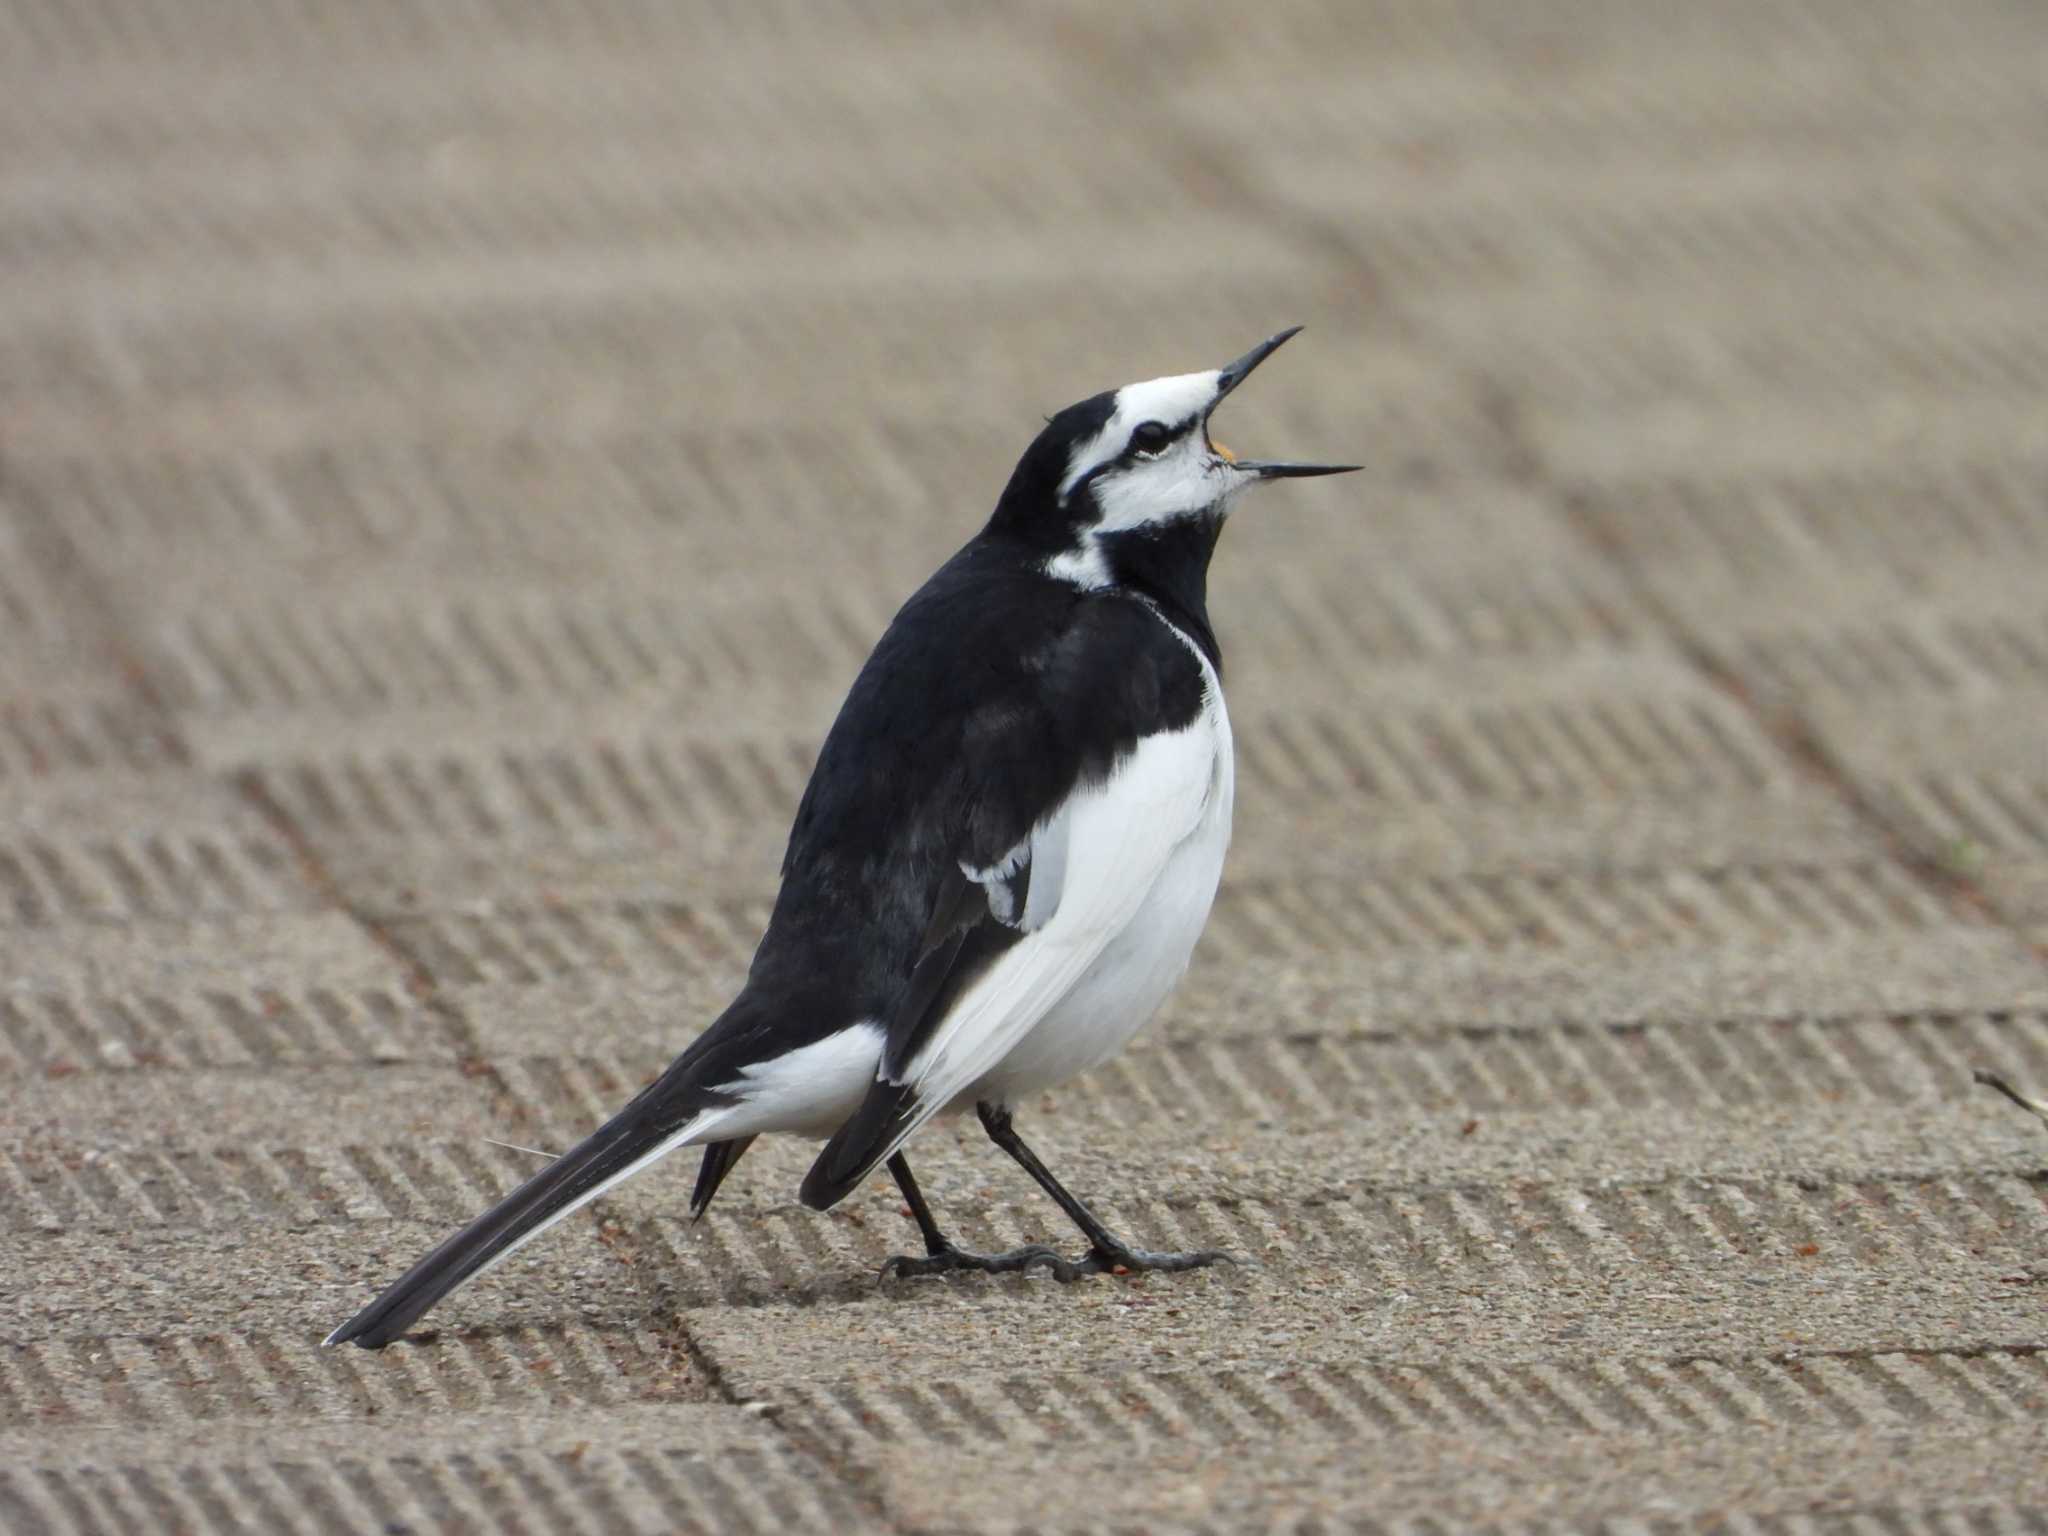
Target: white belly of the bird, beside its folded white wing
(1119,994)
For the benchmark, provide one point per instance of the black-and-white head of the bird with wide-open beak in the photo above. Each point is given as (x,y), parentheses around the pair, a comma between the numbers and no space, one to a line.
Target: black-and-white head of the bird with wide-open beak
(1136,464)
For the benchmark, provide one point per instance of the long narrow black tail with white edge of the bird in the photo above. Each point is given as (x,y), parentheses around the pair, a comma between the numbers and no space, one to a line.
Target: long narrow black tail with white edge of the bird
(624,1146)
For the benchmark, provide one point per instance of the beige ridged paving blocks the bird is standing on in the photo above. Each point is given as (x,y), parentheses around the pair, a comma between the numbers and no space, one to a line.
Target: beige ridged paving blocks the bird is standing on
(452,462)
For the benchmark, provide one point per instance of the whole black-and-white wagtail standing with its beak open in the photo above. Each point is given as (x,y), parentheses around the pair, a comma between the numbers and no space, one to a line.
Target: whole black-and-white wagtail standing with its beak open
(1000,865)
